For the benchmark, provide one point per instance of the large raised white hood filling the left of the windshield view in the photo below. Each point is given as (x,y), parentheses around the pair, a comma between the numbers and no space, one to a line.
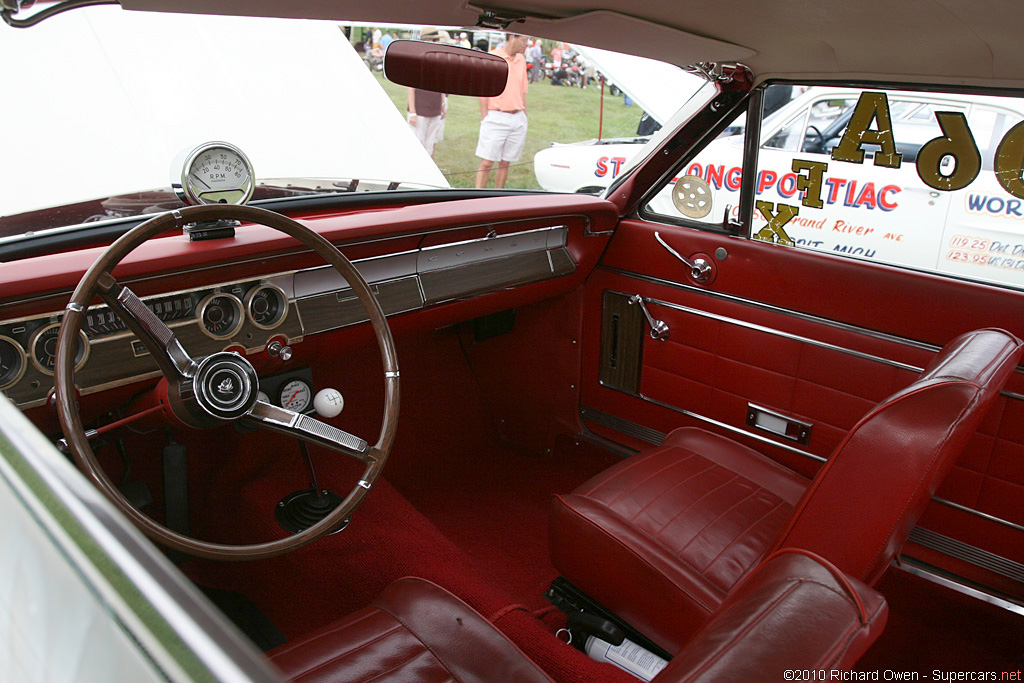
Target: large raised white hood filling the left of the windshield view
(129,92)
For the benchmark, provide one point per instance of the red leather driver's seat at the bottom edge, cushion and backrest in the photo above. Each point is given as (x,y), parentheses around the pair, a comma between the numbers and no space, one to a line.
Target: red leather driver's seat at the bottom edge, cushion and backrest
(796,612)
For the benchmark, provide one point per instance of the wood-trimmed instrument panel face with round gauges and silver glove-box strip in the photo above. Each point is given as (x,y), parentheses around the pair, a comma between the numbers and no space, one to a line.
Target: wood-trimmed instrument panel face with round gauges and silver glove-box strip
(249,314)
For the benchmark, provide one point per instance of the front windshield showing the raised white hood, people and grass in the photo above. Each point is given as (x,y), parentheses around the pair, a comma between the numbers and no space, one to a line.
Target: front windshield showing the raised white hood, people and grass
(120,100)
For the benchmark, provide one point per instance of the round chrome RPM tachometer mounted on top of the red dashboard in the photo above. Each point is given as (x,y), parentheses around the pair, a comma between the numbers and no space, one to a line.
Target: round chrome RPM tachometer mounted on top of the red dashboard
(215,174)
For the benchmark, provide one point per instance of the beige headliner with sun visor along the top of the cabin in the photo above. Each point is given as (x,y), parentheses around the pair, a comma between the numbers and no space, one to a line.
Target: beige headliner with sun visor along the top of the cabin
(938,41)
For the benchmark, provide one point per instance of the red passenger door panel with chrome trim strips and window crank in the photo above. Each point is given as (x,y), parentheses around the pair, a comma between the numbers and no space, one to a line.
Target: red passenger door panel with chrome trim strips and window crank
(813,337)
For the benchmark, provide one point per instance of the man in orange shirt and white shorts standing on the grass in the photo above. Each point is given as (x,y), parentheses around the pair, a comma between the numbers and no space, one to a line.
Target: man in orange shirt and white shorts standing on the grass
(503,119)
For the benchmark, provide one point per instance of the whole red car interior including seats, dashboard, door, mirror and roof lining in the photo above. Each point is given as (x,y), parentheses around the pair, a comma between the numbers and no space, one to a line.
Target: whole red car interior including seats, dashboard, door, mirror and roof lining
(481,436)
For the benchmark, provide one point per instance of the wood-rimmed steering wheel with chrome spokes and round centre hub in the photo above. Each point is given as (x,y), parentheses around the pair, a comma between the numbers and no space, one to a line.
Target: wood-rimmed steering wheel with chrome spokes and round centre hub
(222,388)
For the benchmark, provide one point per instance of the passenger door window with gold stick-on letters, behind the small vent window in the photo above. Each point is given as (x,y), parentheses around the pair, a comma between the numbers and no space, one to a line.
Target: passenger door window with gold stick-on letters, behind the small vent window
(932,182)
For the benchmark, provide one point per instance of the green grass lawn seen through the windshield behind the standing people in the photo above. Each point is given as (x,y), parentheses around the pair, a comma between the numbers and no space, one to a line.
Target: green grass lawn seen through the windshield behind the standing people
(556,115)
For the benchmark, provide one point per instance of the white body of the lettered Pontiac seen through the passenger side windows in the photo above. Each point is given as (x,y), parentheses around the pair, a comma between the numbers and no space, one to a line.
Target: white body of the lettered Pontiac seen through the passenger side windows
(873,212)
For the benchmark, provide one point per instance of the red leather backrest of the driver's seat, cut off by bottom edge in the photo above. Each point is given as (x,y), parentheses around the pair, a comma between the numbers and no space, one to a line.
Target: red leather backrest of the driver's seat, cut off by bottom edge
(796,612)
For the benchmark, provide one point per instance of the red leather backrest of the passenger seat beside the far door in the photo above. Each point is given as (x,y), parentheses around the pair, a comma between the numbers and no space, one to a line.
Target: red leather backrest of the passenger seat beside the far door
(864,502)
